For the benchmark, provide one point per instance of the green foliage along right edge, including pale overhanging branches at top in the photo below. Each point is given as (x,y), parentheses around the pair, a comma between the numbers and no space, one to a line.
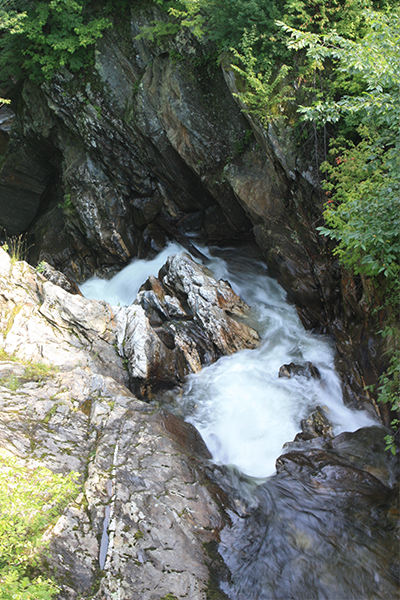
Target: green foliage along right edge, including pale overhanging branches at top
(363,212)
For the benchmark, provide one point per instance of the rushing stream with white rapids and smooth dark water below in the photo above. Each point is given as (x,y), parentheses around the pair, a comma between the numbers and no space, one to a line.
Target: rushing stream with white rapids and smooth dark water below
(305,531)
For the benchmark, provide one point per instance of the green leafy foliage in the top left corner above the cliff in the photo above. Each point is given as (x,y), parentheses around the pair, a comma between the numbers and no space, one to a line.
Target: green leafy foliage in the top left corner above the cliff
(39,37)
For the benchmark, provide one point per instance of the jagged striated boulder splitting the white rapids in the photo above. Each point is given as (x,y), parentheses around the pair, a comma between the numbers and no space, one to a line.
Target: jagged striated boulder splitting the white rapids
(179,322)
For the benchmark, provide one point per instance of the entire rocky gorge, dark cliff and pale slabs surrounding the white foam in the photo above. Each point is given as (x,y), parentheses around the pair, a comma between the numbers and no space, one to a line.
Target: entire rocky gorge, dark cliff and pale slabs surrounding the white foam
(108,165)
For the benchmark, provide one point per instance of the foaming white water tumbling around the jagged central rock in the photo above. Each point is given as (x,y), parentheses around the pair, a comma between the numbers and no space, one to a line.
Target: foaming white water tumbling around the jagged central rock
(243,410)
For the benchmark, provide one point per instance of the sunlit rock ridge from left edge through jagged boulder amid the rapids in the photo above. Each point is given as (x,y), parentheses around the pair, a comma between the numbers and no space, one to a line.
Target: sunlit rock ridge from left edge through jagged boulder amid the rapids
(185,320)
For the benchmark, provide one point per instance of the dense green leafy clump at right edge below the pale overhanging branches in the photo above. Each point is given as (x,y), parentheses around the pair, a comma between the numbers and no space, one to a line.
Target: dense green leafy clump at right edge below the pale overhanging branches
(363,214)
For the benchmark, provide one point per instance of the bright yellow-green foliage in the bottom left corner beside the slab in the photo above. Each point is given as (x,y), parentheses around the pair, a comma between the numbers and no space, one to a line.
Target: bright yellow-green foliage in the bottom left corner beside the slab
(31,499)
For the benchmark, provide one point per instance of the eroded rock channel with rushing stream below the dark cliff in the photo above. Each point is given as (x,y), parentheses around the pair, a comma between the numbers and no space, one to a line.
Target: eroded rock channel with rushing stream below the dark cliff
(162,513)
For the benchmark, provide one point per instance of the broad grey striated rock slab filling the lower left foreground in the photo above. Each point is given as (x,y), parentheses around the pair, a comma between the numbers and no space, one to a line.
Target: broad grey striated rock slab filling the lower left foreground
(138,528)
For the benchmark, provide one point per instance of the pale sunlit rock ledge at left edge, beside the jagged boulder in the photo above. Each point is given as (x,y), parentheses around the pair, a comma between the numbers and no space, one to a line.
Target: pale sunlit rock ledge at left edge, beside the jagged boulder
(42,322)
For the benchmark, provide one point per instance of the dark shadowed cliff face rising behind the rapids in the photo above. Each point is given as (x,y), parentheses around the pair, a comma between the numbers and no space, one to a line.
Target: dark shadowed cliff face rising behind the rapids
(101,165)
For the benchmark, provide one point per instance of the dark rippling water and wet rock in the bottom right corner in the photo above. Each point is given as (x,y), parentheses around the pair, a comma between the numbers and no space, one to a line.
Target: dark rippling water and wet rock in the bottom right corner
(324,508)
